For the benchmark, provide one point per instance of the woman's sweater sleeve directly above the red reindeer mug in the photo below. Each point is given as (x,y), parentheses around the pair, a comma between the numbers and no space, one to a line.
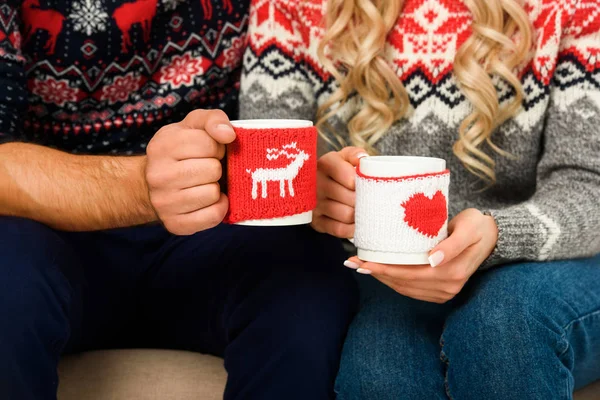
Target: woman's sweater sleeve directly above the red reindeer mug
(277,82)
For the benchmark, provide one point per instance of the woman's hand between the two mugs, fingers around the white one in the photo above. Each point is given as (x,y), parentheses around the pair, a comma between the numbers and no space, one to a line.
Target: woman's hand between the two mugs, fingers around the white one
(335,192)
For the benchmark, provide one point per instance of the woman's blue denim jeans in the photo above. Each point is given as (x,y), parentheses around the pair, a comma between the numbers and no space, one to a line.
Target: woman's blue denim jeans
(522,331)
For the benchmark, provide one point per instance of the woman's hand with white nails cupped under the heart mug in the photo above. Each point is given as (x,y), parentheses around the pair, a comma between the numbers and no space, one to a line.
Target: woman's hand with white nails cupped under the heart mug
(472,238)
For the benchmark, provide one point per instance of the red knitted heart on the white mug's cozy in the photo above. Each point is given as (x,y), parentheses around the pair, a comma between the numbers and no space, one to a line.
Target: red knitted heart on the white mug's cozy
(426,215)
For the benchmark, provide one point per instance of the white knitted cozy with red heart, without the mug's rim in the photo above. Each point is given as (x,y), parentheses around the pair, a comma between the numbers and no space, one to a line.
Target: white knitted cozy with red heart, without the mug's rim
(406,215)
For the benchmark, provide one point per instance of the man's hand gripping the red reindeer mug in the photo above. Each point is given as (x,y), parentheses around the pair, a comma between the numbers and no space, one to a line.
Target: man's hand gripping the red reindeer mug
(183,170)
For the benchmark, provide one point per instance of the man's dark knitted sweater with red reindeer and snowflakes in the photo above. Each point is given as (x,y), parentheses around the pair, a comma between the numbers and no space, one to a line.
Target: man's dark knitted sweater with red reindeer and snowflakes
(102,76)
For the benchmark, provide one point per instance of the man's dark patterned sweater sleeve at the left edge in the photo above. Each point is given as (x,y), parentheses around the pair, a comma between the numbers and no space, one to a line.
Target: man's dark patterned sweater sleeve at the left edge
(13,89)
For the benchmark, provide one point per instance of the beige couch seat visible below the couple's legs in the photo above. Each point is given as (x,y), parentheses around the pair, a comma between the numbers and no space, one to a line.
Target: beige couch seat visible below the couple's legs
(158,375)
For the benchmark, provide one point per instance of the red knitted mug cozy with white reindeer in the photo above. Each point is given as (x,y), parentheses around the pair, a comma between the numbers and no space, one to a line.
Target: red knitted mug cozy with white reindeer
(271,173)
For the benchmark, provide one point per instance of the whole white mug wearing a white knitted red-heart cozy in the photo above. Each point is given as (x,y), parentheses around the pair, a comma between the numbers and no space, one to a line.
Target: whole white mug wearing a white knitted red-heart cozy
(401,208)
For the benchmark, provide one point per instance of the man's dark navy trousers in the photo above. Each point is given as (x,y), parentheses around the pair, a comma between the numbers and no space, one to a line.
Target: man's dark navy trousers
(274,302)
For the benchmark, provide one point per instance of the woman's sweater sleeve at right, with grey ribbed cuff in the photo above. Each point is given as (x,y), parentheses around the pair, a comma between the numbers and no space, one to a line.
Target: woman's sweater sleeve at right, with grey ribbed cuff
(562,219)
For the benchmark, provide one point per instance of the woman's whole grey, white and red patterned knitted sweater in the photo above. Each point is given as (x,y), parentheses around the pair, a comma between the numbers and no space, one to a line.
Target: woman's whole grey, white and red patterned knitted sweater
(546,202)
